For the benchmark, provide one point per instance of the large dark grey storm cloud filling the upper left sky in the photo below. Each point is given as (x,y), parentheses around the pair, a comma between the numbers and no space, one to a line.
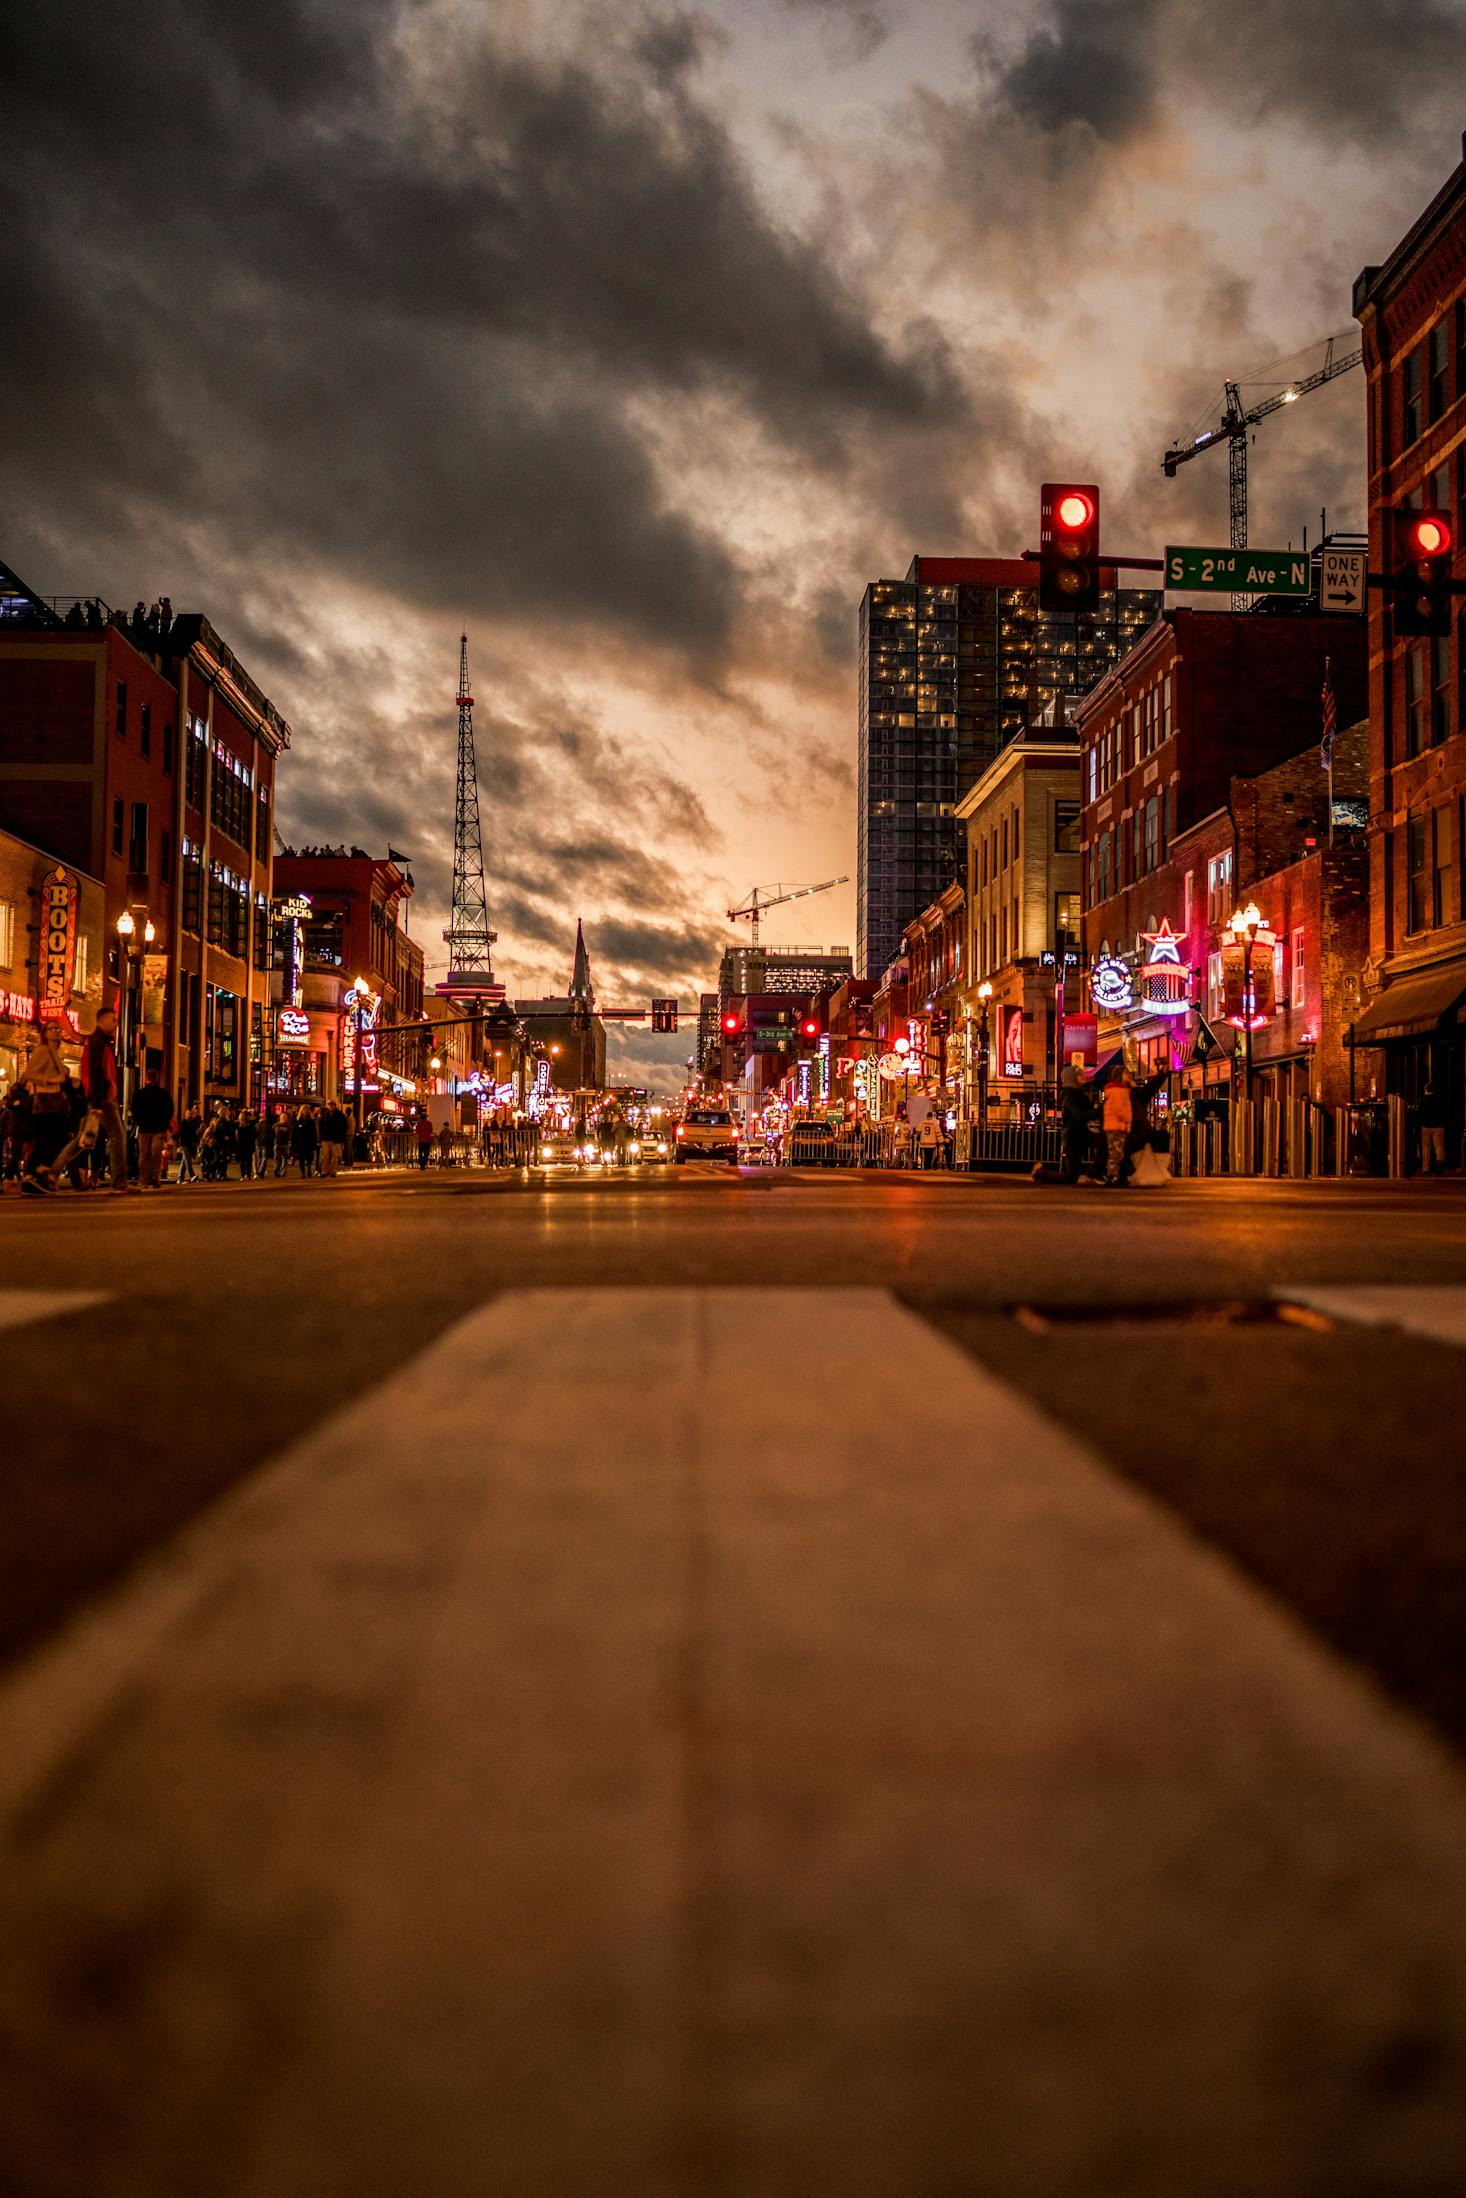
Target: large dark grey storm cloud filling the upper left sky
(392,311)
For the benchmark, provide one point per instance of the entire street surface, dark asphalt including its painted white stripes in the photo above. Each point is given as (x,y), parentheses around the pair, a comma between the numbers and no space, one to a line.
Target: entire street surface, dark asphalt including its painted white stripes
(733,1683)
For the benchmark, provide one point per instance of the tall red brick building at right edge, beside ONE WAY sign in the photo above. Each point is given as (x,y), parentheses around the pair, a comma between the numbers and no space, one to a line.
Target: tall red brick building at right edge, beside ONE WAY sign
(1412,313)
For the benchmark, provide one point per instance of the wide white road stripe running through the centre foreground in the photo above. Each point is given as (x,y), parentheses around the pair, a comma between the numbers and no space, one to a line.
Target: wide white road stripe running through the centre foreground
(667,1740)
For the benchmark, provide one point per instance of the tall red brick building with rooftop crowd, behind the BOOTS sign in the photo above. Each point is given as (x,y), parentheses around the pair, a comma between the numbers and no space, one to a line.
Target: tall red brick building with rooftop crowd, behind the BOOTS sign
(142,753)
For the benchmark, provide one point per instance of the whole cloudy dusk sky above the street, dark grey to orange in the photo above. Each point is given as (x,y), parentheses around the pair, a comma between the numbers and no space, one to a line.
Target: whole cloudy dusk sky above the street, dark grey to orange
(638,337)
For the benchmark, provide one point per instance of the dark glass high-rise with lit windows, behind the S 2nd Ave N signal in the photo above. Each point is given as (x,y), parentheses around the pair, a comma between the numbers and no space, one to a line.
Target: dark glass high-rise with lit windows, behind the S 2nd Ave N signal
(953,663)
